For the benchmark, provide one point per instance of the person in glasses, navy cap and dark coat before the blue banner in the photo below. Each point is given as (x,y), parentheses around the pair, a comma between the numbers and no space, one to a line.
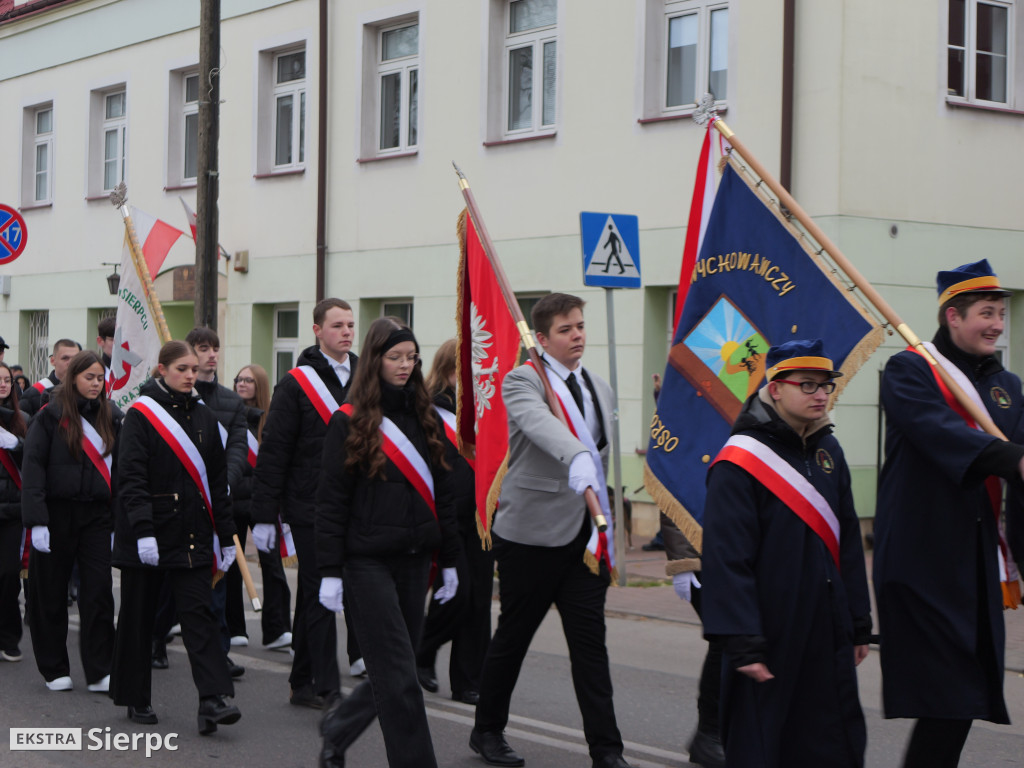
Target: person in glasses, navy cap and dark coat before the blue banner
(785,582)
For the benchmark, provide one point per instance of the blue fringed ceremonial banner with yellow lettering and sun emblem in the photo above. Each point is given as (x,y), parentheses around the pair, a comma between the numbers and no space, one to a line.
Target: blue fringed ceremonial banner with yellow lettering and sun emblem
(754,285)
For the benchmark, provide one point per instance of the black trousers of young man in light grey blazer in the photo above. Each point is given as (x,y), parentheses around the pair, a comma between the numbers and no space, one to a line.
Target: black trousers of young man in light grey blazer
(531,580)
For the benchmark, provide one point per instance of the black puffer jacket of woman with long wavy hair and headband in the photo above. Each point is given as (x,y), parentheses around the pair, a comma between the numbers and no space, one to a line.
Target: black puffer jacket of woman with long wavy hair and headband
(377,518)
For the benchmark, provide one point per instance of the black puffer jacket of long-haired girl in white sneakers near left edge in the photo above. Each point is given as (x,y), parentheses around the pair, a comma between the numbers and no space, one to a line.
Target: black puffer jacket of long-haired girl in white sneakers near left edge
(50,474)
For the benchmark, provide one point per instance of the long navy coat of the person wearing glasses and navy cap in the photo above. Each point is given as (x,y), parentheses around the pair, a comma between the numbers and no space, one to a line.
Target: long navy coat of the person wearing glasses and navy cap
(774,594)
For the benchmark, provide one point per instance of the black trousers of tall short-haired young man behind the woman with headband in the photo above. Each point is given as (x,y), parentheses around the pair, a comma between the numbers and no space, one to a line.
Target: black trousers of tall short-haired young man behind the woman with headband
(315,637)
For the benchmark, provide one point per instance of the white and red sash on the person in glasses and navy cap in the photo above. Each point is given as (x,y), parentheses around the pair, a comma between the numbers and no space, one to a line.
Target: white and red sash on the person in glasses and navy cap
(788,485)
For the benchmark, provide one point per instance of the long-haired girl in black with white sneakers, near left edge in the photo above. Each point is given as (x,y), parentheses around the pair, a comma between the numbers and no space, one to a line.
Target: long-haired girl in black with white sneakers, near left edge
(67,501)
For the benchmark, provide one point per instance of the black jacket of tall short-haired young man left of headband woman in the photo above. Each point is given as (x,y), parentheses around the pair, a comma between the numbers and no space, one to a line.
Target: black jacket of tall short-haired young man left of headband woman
(289,463)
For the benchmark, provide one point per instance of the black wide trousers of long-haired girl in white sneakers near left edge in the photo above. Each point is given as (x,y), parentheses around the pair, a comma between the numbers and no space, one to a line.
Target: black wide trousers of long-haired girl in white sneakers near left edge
(82,533)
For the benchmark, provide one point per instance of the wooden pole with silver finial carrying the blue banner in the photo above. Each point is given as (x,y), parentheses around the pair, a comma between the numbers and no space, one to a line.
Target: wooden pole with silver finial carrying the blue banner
(705,112)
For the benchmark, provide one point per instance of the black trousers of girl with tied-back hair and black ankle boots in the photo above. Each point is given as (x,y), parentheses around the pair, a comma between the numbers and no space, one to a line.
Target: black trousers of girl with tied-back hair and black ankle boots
(132,676)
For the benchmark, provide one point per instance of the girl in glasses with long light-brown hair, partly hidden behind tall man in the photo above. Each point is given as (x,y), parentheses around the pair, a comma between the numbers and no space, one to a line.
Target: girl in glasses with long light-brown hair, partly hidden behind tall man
(253,387)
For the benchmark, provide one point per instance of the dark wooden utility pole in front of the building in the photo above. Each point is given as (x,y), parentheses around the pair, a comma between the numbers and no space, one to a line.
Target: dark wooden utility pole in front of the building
(207,186)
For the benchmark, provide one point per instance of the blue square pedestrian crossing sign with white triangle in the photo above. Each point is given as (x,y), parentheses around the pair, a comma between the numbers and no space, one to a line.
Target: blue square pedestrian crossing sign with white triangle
(611,250)
